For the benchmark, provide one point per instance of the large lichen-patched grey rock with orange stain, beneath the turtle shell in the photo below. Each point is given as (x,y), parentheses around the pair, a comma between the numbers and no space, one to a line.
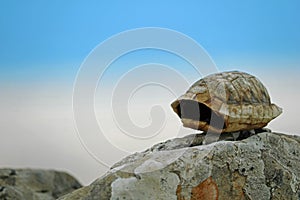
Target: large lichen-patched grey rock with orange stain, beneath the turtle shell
(263,166)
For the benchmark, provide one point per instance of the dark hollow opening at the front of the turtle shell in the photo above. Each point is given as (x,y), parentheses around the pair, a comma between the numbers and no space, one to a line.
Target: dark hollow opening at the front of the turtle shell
(197,111)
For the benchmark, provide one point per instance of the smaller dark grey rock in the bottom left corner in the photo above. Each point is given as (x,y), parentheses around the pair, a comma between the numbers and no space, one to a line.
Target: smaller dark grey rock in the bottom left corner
(17,184)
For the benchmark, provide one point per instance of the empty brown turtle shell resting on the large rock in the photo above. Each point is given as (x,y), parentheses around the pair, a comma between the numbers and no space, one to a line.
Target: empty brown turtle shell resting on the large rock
(226,102)
